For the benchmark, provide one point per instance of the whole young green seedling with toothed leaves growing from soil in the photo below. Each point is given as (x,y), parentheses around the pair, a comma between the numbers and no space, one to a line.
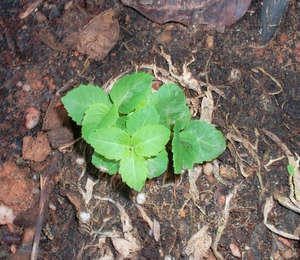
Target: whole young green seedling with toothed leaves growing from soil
(132,128)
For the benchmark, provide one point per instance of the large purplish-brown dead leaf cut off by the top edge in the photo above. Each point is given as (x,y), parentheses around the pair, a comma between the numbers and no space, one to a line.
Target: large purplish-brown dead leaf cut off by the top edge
(215,14)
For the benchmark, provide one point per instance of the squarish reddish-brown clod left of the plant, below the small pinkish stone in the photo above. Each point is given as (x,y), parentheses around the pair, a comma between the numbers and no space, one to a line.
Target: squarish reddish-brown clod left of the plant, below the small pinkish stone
(36,149)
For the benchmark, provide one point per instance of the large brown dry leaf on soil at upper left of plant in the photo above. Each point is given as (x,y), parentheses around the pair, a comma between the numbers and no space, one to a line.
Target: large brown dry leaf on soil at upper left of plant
(98,37)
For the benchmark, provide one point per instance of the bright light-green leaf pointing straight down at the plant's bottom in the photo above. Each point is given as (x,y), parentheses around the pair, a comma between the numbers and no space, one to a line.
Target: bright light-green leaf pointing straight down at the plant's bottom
(134,171)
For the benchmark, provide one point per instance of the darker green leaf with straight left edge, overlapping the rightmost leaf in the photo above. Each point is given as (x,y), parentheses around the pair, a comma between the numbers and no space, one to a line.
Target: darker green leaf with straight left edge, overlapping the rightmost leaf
(185,151)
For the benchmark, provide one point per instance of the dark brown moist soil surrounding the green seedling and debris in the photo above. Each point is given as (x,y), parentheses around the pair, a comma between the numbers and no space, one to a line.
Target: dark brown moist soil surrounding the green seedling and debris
(254,99)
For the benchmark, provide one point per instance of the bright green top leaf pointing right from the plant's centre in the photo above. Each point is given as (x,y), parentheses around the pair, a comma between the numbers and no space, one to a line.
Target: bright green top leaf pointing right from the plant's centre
(150,140)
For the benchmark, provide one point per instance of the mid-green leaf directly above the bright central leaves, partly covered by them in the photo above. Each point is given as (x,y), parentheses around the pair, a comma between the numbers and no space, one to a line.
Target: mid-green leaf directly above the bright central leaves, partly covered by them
(144,116)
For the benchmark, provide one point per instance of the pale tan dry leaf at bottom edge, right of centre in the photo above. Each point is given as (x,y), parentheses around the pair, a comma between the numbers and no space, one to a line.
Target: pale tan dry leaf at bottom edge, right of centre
(199,244)
